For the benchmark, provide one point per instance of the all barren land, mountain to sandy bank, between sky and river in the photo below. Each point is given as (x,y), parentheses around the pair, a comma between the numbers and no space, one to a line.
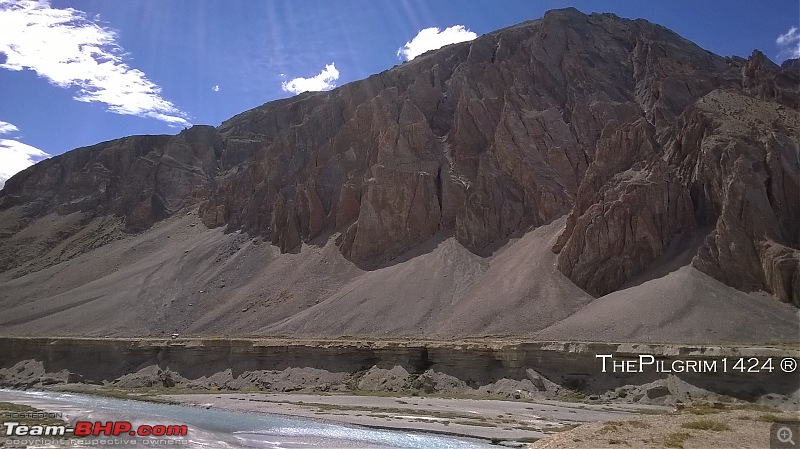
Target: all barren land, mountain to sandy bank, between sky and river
(473,226)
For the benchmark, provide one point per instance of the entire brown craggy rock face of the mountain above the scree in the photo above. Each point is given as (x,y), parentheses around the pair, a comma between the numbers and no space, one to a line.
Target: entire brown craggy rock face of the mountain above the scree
(640,135)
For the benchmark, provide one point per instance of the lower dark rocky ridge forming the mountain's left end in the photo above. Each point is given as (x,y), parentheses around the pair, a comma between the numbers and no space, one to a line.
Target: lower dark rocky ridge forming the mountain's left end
(127,184)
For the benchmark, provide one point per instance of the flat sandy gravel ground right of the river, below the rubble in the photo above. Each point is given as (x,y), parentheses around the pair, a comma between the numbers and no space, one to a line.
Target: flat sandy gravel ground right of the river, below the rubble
(536,425)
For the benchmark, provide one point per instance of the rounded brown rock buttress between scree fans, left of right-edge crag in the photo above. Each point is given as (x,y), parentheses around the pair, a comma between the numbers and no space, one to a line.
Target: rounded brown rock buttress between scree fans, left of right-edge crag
(630,206)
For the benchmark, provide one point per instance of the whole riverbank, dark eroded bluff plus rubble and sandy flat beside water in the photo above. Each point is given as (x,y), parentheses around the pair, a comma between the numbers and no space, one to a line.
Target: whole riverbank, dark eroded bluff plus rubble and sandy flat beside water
(510,392)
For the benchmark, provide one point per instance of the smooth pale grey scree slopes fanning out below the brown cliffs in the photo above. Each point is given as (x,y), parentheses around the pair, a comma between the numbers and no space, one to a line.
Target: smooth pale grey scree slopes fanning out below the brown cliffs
(195,281)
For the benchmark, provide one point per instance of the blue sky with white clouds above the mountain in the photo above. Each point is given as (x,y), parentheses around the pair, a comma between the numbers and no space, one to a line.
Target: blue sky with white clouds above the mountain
(74,73)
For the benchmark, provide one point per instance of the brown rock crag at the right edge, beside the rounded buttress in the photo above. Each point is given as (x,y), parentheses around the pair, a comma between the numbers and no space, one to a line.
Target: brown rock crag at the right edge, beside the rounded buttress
(740,158)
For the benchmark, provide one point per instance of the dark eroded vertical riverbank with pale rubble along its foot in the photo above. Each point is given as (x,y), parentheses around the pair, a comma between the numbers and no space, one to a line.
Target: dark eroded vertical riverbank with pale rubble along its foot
(490,369)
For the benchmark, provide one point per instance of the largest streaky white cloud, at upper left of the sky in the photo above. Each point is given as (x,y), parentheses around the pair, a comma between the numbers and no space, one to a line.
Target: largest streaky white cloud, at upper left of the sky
(68,49)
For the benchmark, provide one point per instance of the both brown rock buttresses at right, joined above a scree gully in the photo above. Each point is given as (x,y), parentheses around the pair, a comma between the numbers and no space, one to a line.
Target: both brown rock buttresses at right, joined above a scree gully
(729,162)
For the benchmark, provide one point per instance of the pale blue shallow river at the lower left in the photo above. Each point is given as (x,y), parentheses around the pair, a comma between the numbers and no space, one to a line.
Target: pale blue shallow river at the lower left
(209,428)
